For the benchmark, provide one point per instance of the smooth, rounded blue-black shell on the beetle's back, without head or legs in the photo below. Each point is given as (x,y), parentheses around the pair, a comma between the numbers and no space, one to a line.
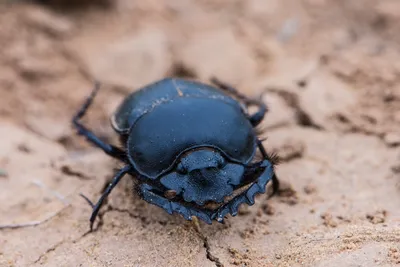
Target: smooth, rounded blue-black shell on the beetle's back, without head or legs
(169,117)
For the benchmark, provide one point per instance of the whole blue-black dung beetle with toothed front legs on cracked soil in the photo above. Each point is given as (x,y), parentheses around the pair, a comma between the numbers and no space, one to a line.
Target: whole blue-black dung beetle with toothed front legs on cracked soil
(191,147)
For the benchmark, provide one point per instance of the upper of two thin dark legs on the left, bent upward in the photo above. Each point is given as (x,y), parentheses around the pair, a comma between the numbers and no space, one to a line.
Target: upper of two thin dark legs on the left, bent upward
(82,130)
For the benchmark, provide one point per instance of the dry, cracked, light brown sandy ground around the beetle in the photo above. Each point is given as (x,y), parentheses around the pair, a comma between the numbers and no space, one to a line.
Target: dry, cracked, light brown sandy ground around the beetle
(331,76)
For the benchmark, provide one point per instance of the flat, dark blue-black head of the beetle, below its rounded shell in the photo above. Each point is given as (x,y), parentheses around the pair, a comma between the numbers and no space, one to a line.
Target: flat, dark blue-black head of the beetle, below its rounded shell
(203,175)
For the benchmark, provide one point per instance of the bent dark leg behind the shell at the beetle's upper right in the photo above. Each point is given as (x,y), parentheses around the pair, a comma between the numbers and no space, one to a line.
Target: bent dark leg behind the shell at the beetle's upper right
(255,118)
